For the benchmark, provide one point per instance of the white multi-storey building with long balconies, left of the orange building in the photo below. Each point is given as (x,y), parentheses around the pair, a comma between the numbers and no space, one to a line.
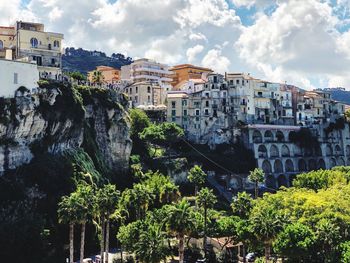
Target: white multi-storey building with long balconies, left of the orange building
(146,70)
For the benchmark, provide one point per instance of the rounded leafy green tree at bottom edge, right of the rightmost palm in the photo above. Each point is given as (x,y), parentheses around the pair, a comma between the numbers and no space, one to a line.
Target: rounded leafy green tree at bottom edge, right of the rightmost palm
(295,242)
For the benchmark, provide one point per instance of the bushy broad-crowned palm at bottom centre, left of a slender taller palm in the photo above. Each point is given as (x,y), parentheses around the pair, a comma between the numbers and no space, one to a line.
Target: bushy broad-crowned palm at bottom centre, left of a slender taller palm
(180,222)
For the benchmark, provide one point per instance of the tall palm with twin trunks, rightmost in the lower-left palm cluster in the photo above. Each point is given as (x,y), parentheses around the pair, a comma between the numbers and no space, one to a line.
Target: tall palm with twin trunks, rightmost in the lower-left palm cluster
(107,199)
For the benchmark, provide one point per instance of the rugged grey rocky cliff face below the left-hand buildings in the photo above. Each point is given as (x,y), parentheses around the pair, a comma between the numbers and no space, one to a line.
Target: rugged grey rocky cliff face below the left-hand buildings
(61,117)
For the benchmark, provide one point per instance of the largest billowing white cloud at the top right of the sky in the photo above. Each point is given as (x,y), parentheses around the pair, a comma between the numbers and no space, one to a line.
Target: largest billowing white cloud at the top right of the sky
(296,43)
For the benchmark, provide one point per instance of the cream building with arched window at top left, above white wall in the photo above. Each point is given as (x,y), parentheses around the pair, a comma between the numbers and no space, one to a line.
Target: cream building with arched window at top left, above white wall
(30,42)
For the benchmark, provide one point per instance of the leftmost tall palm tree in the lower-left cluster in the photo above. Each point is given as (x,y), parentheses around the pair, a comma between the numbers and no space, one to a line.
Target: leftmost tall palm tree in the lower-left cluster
(67,214)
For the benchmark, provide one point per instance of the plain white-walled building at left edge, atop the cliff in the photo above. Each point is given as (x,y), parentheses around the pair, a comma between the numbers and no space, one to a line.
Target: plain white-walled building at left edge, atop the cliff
(15,75)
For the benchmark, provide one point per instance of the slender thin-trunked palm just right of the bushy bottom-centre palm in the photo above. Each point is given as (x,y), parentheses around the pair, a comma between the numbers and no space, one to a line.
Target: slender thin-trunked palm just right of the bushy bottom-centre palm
(207,200)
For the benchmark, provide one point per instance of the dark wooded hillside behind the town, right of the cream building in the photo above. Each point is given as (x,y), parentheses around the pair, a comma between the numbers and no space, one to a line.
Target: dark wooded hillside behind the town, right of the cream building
(84,60)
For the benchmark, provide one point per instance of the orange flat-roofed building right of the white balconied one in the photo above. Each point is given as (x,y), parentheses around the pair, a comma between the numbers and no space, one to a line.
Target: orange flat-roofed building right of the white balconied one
(185,72)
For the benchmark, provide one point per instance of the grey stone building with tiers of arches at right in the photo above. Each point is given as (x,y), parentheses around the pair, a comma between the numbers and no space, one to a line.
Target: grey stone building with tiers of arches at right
(281,159)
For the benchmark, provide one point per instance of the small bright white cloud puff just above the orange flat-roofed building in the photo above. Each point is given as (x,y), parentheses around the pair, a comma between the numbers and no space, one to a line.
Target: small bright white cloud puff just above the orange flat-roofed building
(215,60)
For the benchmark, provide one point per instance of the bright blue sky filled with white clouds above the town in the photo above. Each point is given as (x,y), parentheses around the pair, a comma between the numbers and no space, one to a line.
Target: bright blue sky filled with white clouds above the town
(302,42)
